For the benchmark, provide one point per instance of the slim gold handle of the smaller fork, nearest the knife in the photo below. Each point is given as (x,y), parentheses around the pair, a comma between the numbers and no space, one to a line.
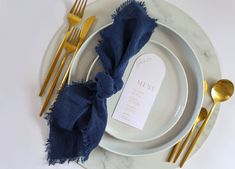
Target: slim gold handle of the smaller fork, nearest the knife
(54,83)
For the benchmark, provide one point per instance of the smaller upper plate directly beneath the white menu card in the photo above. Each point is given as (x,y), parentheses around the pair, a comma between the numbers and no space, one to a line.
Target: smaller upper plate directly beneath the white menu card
(163,116)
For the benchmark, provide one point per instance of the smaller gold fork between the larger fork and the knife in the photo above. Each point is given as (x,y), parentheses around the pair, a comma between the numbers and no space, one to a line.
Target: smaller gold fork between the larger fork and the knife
(70,47)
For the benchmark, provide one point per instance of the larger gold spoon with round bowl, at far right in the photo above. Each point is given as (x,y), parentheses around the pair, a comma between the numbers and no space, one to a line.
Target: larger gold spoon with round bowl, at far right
(220,92)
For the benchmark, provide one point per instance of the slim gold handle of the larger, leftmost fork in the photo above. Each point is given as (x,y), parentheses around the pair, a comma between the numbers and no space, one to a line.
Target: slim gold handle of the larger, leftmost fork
(52,67)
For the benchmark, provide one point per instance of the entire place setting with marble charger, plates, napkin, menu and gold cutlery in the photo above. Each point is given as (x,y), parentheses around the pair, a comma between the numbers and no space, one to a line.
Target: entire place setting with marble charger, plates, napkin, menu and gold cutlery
(129,87)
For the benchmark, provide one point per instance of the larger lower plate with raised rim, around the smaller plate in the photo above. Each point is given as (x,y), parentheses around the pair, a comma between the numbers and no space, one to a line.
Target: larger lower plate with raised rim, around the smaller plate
(172,40)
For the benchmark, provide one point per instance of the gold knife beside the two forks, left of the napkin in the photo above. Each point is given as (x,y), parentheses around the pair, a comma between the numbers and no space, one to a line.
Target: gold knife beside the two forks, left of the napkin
(84,31)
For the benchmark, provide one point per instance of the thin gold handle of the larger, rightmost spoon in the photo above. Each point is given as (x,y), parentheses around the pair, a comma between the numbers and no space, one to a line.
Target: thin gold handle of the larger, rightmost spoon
(197,136)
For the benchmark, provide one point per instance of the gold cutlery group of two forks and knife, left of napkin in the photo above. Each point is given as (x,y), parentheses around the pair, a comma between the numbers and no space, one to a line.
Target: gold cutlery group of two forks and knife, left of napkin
(71,43)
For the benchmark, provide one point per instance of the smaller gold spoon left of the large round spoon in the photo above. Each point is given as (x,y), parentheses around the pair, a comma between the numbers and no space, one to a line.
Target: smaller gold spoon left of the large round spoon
(202,116)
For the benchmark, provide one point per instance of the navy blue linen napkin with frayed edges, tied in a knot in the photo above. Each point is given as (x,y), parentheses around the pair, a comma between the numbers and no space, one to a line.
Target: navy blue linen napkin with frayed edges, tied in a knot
(79,116)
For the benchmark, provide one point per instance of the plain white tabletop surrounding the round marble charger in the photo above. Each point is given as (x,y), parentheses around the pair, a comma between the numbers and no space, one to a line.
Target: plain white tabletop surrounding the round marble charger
(26,28)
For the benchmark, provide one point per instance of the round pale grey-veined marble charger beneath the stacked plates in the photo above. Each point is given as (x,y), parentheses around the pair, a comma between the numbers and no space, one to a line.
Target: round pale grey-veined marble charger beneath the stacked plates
(189,29)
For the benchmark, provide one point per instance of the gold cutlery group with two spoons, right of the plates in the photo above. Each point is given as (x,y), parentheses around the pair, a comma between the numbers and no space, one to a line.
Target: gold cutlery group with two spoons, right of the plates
(221,91)
